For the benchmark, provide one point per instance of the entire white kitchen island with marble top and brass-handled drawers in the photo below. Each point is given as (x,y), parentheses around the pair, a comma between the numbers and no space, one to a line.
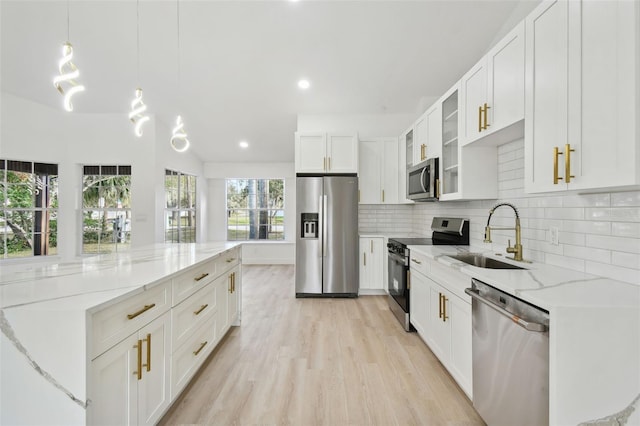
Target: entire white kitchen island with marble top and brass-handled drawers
(66,330)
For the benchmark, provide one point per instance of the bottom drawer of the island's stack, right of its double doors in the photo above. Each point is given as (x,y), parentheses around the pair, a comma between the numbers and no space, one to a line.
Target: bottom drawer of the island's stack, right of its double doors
(186,360)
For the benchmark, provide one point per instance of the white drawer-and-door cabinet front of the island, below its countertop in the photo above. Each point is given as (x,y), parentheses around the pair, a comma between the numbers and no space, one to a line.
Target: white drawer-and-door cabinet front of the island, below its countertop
(135,381)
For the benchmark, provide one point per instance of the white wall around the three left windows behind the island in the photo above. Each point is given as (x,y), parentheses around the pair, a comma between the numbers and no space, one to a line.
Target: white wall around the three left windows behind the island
(34,132)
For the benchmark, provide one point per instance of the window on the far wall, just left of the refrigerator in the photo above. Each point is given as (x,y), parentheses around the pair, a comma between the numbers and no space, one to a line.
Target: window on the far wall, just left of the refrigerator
(255,209)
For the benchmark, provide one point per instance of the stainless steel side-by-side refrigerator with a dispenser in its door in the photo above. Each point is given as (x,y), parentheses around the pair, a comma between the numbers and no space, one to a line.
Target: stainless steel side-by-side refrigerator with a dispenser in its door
(327,236)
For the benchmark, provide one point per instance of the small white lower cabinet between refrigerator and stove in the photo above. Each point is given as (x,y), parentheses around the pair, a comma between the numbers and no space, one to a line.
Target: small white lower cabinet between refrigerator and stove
(372,265)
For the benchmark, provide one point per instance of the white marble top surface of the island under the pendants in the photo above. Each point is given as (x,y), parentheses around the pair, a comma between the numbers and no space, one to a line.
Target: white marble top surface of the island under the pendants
(87,283)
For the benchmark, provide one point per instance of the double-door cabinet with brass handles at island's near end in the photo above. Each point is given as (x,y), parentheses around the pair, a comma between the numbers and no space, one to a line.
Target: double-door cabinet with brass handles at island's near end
(131,380)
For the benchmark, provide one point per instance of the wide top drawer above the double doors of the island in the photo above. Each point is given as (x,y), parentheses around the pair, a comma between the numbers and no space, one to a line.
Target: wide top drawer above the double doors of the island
(113,324)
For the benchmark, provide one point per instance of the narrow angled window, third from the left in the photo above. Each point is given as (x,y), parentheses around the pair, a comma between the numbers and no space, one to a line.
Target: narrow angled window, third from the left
(180,207)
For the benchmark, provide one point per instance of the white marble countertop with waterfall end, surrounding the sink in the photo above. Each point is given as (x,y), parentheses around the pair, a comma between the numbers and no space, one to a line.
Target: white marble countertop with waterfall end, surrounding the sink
(594,333)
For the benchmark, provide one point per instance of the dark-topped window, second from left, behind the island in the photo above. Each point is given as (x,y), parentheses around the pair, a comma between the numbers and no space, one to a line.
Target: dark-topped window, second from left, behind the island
(106,209)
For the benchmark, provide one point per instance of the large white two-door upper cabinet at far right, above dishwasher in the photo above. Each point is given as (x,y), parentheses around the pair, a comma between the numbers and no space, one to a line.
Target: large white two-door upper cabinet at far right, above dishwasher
(582,96)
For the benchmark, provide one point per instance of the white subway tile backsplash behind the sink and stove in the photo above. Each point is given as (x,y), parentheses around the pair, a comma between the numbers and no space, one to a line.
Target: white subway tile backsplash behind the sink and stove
(599,233)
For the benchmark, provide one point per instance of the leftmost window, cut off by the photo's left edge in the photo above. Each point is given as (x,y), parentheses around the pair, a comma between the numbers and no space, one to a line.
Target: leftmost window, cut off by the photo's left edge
(28,209)
